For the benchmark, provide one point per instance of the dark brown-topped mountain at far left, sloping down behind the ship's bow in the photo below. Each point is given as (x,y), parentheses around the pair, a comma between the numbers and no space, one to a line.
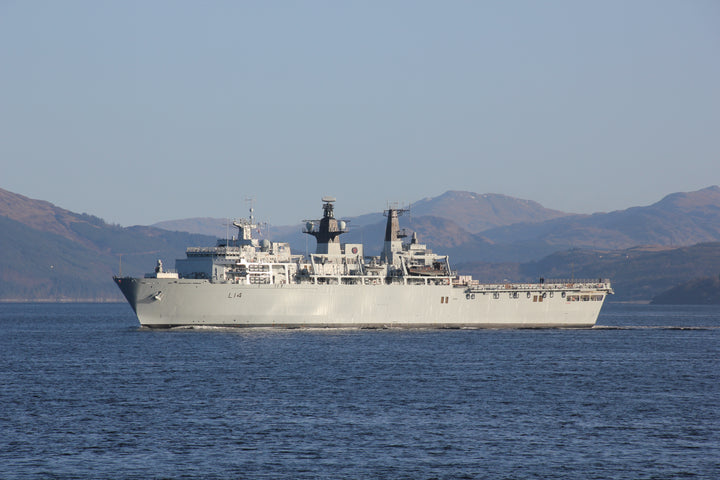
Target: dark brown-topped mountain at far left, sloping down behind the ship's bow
(49,253)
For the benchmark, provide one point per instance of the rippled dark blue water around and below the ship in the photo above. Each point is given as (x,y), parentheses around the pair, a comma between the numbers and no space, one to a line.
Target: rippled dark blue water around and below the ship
(86,393)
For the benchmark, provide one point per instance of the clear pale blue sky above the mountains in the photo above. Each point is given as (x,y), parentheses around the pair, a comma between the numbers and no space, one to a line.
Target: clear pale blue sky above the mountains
(153,110)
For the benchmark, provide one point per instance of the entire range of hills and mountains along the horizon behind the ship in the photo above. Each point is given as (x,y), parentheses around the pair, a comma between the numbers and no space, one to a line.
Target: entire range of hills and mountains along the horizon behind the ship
(54,254)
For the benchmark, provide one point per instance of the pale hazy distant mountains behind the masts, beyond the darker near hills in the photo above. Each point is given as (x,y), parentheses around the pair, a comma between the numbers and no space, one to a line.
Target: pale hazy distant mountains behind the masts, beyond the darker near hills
(497,228)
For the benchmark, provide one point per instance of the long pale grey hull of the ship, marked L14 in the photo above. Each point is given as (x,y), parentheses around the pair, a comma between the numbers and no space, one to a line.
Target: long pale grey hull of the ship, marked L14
(164,303)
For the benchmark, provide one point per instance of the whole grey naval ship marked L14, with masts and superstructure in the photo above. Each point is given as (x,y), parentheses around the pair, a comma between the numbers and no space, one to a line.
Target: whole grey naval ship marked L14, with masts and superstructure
(248,282)
